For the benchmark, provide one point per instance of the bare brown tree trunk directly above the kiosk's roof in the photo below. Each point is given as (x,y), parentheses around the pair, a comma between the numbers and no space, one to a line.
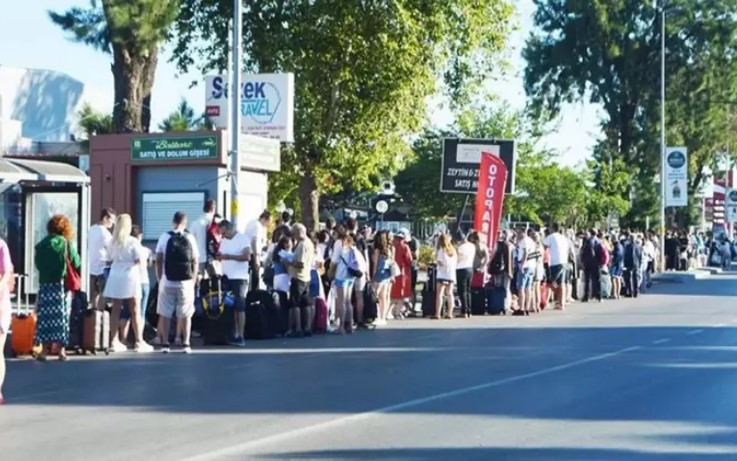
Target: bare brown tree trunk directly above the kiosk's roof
(128,75)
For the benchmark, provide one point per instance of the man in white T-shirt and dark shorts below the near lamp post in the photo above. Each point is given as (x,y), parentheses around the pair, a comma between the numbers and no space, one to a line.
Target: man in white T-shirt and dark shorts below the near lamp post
(235,252)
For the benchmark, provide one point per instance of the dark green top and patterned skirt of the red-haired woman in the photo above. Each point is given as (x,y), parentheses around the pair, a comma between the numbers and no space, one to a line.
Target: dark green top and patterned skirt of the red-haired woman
(53,301)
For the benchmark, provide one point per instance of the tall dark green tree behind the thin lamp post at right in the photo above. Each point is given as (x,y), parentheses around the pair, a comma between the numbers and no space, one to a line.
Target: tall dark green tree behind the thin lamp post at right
(608,53)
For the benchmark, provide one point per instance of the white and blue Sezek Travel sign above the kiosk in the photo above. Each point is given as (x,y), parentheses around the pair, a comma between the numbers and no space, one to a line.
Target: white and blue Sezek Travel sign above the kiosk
(267,104)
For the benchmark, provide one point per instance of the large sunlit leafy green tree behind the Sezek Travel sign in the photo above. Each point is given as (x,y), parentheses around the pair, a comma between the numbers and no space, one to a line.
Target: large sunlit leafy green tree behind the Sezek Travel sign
(364,70)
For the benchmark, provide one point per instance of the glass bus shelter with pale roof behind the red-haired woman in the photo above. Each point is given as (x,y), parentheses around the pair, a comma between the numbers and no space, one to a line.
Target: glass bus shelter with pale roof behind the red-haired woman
(31,192)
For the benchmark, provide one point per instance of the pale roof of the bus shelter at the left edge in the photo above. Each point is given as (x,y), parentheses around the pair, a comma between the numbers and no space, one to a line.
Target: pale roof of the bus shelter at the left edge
(14,170)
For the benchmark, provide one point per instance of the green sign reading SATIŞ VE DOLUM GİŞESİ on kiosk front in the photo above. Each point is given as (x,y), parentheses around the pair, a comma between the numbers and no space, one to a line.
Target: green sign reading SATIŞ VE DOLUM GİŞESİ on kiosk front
(163,149)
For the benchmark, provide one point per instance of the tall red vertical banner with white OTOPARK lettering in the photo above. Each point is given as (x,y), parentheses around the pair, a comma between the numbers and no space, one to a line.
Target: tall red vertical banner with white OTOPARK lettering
(490,197)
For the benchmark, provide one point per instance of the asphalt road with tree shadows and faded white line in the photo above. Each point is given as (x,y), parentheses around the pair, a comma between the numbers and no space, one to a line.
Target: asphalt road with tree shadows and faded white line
(648,379)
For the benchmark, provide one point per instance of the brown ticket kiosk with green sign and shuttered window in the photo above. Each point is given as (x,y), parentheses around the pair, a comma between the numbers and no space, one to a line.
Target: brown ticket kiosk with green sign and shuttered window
(152,176)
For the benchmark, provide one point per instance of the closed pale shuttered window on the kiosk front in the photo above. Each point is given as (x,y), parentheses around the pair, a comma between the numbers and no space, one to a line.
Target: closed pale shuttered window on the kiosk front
(159,209)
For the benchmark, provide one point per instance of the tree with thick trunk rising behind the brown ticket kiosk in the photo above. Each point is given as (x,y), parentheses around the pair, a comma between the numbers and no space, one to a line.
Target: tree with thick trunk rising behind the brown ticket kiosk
(132,31)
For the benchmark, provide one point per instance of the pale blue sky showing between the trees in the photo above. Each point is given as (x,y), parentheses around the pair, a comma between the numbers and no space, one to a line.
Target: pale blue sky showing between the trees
(29,39)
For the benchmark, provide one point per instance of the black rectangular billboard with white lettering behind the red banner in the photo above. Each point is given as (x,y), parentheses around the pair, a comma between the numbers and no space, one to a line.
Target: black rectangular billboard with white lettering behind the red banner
(461,160)
